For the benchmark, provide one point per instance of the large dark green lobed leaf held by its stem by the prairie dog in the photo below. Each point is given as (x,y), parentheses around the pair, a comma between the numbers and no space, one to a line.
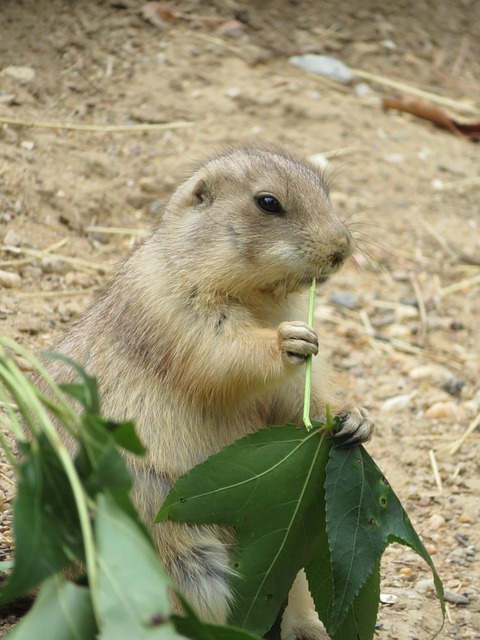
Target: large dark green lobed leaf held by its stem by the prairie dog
(271,487)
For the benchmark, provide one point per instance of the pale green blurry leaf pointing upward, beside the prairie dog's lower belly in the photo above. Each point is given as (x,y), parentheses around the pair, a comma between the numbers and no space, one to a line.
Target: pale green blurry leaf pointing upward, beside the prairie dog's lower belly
(132,584)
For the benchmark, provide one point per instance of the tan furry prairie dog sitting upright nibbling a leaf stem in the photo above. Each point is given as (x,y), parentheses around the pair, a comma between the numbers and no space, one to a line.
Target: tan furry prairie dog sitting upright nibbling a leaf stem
(198,339)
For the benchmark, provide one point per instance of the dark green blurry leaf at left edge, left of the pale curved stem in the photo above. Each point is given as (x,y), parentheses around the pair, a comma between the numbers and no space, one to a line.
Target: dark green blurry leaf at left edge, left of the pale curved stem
(45,520)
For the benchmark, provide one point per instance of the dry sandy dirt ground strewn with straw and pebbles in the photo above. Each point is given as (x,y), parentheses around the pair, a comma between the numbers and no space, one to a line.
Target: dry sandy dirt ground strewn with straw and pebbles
(406,346)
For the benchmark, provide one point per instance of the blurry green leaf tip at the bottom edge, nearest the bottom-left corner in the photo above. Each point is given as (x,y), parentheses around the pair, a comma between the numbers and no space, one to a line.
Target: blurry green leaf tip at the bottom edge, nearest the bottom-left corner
(62,611)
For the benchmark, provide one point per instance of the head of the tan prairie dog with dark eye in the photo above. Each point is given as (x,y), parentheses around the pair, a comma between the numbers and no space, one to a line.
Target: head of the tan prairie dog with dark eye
(255,220)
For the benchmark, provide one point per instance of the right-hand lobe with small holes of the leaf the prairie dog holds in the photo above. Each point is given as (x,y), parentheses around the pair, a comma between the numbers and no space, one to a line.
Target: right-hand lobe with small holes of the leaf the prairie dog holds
(363,516)
